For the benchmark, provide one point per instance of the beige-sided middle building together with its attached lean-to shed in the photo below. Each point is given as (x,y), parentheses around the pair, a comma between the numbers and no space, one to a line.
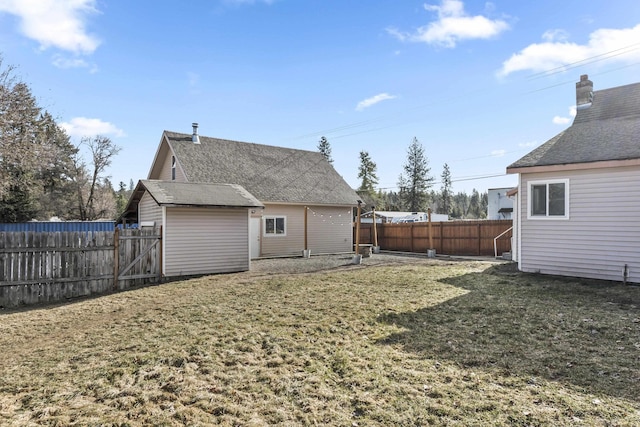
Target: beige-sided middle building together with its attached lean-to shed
(303,203)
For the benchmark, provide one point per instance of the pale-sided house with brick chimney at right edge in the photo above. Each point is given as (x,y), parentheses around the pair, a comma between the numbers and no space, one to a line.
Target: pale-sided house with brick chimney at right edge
(578,200)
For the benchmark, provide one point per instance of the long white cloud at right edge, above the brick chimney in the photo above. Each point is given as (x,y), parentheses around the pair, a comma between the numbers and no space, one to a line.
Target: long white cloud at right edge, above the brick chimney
(556,51)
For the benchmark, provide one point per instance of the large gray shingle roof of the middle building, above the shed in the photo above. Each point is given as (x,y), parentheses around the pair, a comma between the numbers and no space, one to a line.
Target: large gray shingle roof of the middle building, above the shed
(271,174)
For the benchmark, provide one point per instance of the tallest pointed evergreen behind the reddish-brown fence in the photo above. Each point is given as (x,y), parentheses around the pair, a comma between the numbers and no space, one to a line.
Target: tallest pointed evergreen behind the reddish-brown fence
(415,182)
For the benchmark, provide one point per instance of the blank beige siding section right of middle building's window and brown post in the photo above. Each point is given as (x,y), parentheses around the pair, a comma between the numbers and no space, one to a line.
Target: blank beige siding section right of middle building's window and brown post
(330,229)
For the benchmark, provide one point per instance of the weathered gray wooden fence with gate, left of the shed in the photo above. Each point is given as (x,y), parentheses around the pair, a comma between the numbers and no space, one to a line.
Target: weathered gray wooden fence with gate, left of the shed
(39,267)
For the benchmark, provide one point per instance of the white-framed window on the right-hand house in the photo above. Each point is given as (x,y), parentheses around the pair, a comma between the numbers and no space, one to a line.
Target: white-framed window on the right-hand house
(549,199)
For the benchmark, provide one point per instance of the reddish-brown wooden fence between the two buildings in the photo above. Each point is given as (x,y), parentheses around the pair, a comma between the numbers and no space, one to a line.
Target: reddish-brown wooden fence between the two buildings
(474,238)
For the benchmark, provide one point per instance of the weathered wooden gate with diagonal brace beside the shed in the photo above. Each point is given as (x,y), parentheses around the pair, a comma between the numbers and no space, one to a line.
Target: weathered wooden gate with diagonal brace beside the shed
(138,257)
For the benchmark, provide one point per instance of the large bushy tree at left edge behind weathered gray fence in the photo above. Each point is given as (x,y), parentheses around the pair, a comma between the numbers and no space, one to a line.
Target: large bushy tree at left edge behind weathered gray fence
(34,155)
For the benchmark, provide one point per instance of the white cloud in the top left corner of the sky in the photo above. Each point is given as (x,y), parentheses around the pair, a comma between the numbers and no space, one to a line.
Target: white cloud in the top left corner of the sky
(55,23)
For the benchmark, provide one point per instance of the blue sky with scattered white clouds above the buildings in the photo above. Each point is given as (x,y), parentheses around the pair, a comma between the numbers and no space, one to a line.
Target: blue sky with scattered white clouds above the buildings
(478,83)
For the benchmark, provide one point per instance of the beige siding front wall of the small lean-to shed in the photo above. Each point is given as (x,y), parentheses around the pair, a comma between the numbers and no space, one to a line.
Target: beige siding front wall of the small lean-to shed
(206,240)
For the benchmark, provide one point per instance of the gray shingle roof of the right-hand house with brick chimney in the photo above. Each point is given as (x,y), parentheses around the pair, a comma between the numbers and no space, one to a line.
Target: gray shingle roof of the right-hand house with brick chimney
(607,130)
